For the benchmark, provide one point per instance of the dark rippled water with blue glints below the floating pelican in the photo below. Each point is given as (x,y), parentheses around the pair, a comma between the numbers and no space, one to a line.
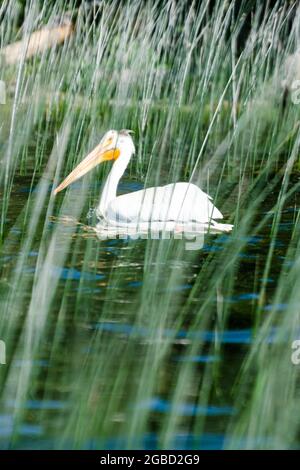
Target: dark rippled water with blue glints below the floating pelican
(93,318)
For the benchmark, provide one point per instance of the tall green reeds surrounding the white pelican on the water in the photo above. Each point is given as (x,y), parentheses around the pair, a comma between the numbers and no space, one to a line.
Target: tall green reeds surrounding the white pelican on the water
(205,106)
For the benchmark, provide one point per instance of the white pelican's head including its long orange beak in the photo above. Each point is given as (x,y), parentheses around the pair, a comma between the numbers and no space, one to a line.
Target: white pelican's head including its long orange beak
(114,145)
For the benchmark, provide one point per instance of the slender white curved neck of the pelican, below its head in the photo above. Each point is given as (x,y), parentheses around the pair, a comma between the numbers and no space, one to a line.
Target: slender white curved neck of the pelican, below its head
(109,192)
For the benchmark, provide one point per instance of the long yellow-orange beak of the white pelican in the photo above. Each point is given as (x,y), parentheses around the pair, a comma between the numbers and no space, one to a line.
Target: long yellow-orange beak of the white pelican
(103,152)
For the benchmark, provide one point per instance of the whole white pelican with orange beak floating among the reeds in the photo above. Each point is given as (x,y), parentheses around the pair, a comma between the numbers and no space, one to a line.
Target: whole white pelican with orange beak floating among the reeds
(171,206)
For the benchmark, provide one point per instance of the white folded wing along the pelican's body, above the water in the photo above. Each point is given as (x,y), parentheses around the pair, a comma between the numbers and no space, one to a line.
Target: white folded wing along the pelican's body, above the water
(181,202)
